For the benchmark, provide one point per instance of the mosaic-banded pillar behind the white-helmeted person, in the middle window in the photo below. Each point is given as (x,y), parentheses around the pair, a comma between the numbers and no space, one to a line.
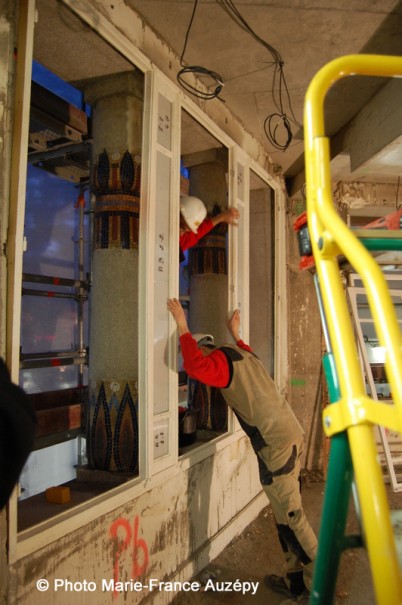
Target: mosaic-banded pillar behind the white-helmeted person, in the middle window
(209,283)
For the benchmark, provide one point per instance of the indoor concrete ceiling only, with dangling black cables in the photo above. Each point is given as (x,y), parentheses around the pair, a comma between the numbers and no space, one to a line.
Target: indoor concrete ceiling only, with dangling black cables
(307,34)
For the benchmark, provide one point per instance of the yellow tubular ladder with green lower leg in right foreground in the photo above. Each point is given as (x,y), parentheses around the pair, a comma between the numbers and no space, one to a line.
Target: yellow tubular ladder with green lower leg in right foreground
(353,414)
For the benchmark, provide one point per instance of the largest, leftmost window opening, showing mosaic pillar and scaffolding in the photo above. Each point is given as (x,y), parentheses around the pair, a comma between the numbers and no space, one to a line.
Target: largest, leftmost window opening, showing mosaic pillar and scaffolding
(81,216)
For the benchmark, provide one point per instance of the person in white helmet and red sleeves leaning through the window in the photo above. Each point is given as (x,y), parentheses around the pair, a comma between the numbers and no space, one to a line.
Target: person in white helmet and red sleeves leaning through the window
(194,223)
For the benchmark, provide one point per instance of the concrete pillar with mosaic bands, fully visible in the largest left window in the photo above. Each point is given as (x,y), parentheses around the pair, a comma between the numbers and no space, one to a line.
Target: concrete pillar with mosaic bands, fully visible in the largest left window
(112,427)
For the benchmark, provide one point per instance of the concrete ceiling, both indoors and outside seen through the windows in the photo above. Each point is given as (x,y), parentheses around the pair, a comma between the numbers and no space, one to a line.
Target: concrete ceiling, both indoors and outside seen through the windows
(363,115)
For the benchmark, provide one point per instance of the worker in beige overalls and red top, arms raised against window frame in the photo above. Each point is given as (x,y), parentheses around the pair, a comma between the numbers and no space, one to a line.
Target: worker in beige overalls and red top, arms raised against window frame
(275,434)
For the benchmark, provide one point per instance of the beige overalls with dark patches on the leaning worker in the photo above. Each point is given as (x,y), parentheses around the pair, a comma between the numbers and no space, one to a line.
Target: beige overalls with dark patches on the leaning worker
(277,439)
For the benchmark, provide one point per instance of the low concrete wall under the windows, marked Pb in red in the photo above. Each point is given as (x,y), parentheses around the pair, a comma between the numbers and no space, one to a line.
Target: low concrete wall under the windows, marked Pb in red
(166,534)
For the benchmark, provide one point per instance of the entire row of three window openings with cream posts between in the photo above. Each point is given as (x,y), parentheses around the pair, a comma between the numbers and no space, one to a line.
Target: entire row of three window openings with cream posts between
(79,358)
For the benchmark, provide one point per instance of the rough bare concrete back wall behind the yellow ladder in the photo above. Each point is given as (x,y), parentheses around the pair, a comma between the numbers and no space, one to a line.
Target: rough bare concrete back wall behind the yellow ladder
(307,388)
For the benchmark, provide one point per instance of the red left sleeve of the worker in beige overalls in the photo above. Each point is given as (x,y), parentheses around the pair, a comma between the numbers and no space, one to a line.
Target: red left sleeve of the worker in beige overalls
(212,369)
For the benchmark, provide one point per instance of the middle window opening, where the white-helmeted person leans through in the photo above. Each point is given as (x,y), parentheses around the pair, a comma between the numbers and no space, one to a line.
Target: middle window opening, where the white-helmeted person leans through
(203,275)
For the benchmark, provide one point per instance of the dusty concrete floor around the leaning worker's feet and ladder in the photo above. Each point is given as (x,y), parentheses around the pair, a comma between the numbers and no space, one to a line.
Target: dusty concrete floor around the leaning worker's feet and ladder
(256,552)
